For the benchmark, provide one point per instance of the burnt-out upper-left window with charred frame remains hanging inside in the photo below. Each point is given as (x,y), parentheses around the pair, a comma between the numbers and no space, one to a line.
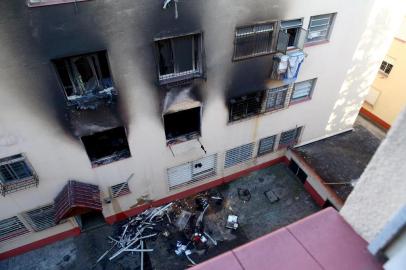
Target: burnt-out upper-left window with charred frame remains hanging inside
(83,75)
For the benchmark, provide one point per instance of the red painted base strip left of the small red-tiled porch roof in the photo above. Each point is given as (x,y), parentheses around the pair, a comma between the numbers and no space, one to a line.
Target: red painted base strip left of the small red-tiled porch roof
(40,243)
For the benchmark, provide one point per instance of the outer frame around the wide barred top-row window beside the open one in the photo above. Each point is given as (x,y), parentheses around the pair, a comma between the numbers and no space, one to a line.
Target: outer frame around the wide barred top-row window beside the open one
(275,32)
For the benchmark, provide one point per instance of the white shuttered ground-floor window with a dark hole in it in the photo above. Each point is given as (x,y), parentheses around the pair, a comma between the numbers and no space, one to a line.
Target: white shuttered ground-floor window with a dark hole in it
(191,172)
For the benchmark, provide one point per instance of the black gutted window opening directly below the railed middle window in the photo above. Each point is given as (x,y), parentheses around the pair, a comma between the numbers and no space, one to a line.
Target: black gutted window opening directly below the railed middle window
(182,125)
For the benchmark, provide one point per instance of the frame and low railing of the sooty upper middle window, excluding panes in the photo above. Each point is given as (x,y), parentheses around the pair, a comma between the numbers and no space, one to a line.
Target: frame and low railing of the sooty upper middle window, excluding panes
(184,75)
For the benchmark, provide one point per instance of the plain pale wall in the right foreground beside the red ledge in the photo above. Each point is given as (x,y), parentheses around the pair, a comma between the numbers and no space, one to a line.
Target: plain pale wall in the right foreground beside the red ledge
(380,192)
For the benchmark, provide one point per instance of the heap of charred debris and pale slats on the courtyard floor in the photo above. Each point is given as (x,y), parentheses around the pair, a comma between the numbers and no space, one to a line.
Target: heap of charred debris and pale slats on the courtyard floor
(180,223)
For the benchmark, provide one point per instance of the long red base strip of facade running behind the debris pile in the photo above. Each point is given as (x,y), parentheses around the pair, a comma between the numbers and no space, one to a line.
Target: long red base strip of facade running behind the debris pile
(181,195)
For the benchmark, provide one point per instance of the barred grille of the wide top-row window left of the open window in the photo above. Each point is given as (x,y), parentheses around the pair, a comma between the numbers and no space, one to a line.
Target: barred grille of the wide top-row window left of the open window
(253,40)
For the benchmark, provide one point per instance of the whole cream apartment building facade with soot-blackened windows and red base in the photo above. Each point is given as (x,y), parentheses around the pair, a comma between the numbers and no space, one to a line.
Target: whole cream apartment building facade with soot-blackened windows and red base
(110,107)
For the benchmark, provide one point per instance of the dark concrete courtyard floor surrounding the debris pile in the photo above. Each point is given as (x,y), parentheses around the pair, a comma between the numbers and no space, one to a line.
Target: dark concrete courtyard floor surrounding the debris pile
(256,218)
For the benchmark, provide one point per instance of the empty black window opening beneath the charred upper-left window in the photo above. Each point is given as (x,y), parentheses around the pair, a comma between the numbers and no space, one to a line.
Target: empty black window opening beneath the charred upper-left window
(107,146)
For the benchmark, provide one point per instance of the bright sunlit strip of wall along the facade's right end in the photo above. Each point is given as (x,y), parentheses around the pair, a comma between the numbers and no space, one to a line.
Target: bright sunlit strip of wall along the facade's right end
(373,45)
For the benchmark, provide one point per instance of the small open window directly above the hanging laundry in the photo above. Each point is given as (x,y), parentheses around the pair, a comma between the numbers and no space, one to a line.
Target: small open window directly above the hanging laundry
(296,34)
